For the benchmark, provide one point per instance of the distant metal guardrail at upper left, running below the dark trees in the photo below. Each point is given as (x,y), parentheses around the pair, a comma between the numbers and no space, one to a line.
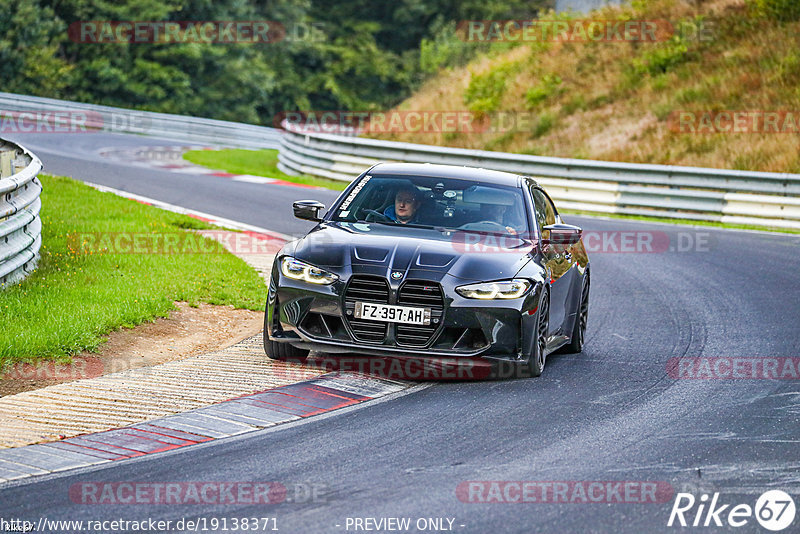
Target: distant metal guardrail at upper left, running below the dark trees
(119,120)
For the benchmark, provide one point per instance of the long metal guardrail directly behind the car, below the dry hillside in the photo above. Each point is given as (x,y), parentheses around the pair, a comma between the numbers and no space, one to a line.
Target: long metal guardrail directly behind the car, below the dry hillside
(692,193)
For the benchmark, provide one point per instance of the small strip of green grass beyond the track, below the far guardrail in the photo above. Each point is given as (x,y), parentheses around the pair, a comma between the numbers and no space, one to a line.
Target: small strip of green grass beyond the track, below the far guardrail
(255,162)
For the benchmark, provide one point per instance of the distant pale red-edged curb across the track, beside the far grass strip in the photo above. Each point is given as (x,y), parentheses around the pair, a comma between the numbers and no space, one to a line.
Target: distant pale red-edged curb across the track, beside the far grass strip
(170,158)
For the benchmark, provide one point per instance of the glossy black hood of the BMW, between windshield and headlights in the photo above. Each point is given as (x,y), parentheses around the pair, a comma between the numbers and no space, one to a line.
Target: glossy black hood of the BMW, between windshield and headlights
(380,249)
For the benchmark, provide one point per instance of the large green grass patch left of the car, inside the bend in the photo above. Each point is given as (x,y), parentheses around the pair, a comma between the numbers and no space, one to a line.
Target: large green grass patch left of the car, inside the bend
(77,296)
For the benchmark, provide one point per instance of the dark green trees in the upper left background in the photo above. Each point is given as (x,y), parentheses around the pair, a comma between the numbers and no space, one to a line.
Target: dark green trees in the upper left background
(360,55)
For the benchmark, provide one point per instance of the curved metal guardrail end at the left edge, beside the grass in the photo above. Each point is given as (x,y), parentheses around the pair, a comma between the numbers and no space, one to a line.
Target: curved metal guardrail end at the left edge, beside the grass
(20,225)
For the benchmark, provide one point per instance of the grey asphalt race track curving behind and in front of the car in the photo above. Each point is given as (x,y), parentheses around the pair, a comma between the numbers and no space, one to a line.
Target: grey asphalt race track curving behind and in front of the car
(612,413)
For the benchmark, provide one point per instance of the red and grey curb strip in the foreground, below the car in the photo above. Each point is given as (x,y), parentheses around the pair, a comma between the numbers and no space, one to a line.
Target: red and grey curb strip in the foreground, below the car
(248,413)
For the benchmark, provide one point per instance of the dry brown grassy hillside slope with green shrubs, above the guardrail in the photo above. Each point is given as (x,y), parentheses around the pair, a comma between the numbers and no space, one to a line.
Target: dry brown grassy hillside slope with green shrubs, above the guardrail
(622,101)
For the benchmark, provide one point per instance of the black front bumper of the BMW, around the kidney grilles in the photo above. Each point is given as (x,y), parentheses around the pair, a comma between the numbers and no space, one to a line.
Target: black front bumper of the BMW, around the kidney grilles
(315,317)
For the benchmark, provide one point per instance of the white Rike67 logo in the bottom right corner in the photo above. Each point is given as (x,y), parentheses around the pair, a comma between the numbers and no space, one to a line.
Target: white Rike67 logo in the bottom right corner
(774,510)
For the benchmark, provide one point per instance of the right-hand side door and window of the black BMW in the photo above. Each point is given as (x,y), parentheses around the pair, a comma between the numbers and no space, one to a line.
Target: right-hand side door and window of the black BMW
(557,260)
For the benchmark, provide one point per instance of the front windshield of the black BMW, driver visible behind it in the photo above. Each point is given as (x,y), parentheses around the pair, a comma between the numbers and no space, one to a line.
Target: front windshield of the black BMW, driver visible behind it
(436,203)
